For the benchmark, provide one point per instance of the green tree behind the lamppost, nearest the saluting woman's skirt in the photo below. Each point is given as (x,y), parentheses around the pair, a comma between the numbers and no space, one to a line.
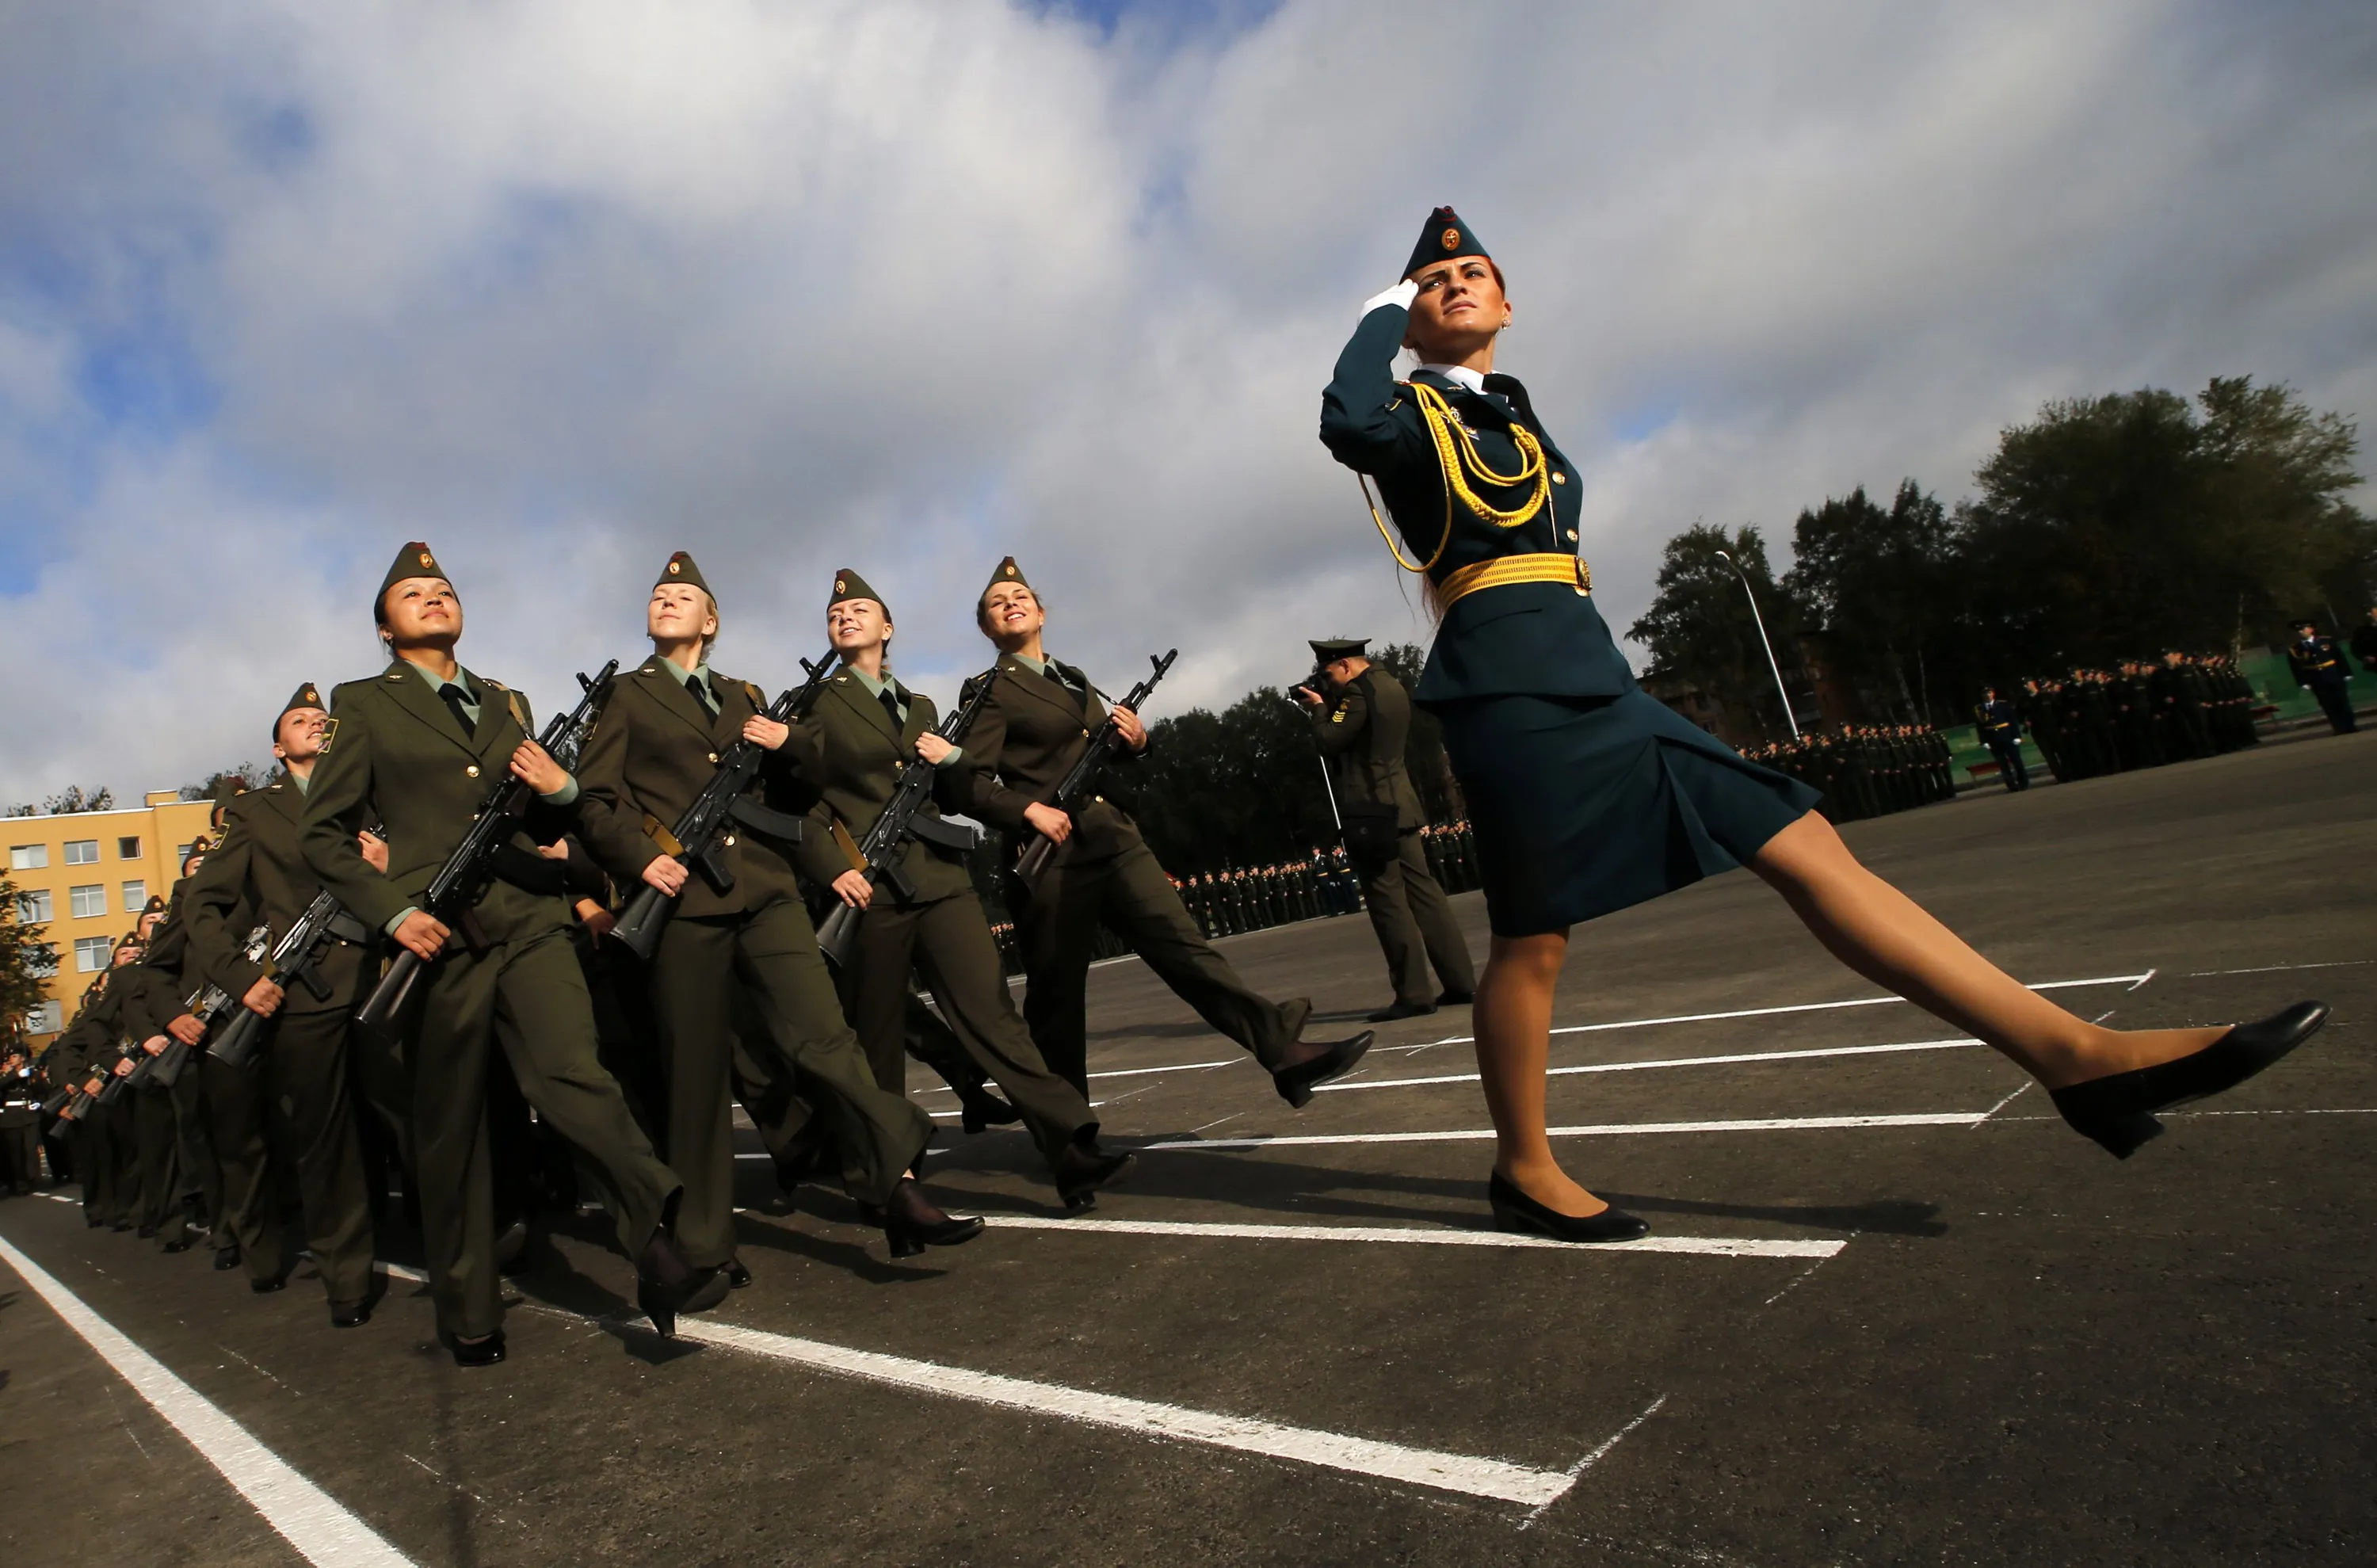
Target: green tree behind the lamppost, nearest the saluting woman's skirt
(1701,628)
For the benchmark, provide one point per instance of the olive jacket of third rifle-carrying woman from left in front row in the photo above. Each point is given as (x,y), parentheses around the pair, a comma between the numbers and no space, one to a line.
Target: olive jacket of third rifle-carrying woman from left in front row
(862,764)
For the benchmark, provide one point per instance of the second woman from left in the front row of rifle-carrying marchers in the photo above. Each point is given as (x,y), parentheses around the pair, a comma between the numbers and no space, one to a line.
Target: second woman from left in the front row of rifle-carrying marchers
(652,752)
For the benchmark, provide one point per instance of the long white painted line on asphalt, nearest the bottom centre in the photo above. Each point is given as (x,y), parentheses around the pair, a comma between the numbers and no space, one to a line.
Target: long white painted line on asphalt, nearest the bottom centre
(1465,1474)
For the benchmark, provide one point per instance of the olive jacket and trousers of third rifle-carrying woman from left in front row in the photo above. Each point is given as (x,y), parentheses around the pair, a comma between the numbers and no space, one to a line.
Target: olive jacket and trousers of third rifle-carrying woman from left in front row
(940,932)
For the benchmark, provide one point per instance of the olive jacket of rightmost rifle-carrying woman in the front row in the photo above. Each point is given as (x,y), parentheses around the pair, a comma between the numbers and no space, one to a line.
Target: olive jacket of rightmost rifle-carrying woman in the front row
(1030,735)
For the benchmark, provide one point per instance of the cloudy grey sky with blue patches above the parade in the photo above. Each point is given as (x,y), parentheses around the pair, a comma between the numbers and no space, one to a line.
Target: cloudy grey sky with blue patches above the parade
(909,286)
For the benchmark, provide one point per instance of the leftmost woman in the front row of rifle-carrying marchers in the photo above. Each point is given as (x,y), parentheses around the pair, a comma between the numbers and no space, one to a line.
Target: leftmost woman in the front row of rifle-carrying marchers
(417,747)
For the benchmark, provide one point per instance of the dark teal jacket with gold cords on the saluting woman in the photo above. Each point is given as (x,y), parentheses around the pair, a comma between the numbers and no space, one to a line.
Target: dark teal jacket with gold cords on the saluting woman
(1530,638)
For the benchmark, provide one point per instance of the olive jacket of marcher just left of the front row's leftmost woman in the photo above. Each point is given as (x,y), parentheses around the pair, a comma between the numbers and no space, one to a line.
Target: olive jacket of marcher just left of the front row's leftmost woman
(260,875)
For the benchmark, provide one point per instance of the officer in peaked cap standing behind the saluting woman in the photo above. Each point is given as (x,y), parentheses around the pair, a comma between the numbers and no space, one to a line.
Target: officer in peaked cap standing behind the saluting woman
(1361,726)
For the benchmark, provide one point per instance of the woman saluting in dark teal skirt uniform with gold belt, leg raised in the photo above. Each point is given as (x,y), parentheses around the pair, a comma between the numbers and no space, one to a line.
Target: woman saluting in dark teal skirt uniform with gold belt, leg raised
(1589,795)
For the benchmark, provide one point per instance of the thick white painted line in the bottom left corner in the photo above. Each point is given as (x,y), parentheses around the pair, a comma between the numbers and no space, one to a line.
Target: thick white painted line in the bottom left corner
(301,1512)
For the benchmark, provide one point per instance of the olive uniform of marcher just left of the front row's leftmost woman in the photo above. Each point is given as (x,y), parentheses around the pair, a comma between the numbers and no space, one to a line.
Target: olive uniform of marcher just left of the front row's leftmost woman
(303,1063)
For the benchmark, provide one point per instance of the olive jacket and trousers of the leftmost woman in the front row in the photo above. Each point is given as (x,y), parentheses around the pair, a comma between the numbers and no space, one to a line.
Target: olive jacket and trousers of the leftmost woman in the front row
(401,757)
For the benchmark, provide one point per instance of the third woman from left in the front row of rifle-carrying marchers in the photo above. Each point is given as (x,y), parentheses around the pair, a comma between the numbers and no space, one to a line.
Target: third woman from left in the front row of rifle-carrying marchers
(871,728)
